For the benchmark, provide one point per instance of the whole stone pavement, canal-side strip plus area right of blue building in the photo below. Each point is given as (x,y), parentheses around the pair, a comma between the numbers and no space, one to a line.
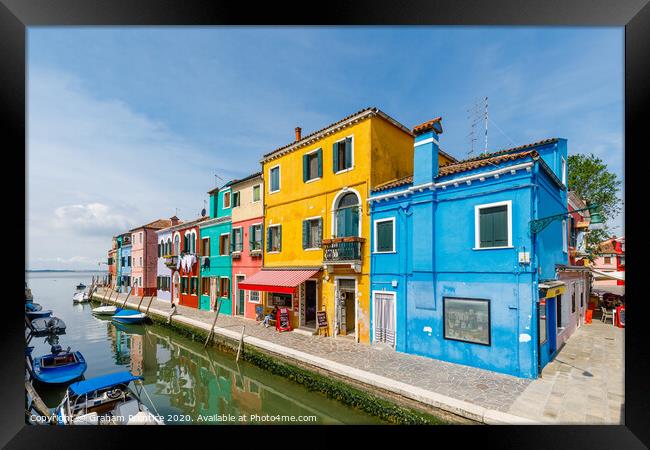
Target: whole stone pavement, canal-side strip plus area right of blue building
(463,388)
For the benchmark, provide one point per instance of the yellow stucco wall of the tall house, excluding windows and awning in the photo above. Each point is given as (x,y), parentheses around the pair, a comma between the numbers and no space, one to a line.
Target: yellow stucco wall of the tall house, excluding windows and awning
(381,151)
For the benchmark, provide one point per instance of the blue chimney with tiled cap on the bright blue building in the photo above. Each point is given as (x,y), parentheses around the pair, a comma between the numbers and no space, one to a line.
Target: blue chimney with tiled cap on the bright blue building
(425,152)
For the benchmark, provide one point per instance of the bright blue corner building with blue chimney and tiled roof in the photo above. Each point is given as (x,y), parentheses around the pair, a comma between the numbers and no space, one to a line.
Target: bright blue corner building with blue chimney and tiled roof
(456,273)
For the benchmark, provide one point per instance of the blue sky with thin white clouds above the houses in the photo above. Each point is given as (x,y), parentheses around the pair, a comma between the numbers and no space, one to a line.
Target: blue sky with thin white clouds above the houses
(127,124)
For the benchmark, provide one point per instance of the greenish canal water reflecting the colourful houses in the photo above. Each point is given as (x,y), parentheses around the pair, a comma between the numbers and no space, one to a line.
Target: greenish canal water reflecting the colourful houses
(186,383)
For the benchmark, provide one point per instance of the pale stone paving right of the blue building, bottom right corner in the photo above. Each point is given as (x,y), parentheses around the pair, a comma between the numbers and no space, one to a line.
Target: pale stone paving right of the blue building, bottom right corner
(584,384)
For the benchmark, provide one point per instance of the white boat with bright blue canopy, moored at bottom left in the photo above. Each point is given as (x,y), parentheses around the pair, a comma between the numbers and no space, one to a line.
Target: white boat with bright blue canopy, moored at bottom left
(105,400)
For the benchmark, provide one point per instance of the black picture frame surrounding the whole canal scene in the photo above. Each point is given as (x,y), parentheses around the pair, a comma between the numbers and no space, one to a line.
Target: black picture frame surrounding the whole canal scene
(634,15)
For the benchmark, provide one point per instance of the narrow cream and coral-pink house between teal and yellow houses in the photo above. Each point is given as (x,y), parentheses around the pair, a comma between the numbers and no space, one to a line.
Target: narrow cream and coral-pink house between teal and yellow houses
(246,241)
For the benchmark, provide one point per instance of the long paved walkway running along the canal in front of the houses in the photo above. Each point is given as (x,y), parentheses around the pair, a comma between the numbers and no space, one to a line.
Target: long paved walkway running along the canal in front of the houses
(462,388)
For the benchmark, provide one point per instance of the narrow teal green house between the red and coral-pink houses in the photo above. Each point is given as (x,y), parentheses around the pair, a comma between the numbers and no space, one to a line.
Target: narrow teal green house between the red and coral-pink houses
(215,259)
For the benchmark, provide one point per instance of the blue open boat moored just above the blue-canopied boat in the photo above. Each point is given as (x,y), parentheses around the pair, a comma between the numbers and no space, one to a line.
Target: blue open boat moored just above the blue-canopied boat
(58,367)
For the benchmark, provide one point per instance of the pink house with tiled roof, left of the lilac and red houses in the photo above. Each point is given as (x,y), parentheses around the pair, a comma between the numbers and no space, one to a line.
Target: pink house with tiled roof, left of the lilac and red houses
(144,256)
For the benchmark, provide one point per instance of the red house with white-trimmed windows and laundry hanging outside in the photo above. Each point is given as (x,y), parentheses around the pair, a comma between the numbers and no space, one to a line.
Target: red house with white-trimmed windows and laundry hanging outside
(184,263)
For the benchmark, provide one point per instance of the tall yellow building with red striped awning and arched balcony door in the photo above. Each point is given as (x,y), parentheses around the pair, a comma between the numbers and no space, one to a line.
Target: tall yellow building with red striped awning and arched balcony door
(317,222)
